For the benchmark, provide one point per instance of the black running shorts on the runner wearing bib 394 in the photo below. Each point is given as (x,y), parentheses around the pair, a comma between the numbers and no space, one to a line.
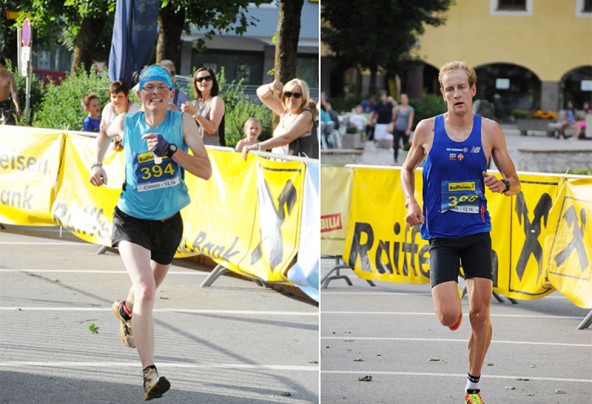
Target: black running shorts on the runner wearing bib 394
(161,237)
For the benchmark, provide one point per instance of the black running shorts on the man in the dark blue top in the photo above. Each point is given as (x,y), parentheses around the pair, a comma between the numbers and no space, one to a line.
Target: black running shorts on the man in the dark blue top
(473,252)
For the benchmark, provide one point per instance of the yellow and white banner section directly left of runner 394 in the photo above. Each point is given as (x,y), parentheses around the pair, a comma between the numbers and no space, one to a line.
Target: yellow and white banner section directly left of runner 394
(80,207)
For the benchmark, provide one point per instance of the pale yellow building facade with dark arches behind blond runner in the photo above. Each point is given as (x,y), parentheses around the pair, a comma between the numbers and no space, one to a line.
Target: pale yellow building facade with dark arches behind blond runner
(528,54)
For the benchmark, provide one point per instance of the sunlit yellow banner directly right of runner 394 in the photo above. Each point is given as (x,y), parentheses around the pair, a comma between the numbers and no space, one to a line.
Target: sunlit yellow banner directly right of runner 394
(247,216)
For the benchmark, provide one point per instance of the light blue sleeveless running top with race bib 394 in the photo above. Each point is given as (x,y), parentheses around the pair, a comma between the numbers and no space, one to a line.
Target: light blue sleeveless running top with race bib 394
(153,190)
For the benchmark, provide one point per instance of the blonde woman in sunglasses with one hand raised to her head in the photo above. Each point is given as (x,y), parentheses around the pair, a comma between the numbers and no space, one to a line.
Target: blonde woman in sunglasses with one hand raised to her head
(294,133)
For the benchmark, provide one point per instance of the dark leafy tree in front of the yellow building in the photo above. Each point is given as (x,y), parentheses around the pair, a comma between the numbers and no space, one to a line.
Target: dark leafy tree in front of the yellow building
(377,33)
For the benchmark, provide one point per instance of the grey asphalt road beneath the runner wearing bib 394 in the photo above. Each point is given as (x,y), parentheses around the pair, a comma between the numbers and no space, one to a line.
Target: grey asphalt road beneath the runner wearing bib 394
(234,342)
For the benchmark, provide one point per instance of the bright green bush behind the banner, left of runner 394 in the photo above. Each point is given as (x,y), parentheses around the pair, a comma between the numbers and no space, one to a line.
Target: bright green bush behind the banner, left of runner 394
(61,109)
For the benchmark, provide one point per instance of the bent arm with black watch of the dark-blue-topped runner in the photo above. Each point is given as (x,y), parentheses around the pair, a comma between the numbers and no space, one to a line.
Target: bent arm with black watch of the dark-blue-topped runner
(502,160)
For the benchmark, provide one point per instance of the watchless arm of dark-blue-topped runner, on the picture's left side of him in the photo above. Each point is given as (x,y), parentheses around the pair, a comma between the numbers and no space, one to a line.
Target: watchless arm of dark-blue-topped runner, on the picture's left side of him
(422,138)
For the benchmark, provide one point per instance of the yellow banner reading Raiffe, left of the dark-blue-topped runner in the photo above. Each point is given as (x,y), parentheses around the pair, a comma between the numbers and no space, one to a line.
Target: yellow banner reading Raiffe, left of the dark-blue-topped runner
(379,244)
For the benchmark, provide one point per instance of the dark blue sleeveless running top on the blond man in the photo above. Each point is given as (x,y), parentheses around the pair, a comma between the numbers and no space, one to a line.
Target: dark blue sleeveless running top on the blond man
(454,203)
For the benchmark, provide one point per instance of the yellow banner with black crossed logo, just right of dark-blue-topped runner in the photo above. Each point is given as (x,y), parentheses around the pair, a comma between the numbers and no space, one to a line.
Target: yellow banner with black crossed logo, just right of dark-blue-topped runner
(518,237)
